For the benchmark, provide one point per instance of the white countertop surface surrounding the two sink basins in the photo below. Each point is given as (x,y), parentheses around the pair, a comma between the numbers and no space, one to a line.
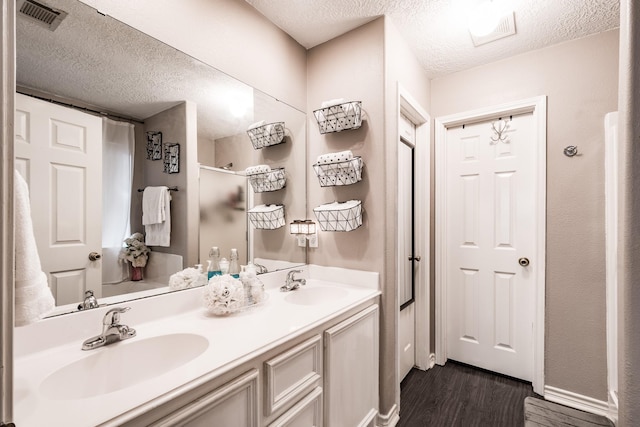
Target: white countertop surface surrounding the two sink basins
(233,340)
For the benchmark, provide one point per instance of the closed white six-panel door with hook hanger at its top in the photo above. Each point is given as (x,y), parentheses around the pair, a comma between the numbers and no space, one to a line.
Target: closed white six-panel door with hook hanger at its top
(491,229)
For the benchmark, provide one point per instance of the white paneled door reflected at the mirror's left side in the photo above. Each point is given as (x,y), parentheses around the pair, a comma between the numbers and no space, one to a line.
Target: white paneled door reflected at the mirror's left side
(59,153)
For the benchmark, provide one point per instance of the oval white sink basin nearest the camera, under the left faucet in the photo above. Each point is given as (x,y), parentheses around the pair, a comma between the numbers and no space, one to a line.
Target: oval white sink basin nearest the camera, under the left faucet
(122,365)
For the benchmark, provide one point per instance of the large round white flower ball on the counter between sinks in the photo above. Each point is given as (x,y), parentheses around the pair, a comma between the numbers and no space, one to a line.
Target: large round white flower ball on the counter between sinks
(224,295)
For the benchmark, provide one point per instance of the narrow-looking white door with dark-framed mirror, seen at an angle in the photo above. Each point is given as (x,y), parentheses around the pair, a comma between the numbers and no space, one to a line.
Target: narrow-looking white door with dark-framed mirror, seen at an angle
(406,245)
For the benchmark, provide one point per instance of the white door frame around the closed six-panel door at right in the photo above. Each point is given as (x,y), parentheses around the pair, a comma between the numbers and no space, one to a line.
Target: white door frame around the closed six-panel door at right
(538,107)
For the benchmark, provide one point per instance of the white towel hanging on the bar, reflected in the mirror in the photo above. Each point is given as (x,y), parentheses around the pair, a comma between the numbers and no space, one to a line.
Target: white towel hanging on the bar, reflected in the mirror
(157,233)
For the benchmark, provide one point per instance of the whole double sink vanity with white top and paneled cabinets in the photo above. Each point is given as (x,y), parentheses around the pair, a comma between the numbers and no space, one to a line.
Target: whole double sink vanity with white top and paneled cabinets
(308,356)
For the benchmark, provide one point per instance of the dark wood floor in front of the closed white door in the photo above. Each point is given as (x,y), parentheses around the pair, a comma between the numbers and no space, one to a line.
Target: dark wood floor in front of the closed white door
(459,395)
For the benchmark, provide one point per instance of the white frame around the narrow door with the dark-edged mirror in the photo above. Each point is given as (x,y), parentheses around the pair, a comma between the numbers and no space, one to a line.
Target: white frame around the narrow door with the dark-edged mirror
(408,106)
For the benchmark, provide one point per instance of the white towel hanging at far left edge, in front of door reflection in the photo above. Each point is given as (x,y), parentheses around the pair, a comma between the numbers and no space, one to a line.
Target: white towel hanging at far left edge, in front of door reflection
(33,298)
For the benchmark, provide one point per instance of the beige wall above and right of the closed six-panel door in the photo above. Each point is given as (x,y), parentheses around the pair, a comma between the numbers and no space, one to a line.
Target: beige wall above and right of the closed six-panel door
(580,81)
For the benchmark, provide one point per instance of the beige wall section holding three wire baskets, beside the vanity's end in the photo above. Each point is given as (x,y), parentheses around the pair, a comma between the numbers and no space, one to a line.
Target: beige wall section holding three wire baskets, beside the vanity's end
(351,67)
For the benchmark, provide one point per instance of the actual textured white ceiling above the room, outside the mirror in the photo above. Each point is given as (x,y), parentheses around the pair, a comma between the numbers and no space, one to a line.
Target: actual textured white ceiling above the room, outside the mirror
(436,33)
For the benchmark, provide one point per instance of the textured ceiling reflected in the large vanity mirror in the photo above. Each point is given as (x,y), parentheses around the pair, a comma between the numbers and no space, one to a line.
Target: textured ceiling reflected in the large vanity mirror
(111,67)
